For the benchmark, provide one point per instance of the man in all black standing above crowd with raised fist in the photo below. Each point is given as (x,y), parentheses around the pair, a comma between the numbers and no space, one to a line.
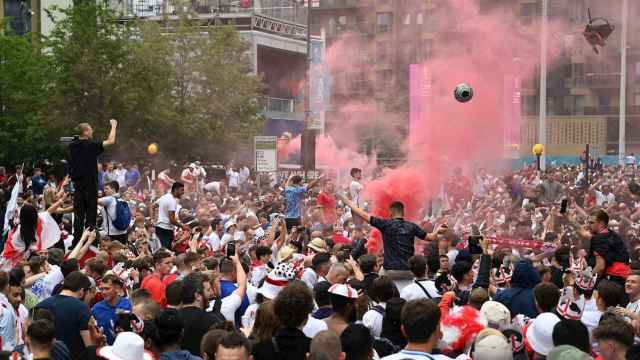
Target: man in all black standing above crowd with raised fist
(84,174)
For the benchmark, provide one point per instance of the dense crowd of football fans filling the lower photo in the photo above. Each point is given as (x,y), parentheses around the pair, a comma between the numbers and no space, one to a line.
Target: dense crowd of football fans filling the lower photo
(184,265)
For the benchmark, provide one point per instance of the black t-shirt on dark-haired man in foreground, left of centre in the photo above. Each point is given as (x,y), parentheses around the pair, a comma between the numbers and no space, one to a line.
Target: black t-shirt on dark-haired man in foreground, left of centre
(196,323)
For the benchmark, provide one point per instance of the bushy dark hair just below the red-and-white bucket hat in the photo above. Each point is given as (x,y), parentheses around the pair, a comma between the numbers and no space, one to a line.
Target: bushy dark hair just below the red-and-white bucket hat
(293,305)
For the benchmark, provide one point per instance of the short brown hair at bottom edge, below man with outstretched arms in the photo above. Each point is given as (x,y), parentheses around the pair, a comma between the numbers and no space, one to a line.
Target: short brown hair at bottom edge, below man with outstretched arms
(420,319)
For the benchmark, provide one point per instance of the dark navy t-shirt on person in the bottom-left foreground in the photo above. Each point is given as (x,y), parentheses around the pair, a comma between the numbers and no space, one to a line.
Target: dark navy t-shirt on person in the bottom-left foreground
(71,316)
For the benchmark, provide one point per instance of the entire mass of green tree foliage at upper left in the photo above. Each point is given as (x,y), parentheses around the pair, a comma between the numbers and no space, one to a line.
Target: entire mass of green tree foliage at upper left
(185,87)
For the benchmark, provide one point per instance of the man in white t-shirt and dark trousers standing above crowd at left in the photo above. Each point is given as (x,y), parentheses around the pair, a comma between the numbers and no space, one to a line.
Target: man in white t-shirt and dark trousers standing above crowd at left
(167,215)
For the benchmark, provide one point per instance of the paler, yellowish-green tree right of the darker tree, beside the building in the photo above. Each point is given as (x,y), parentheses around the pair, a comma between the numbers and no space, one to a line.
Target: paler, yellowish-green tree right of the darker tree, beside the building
(214,93)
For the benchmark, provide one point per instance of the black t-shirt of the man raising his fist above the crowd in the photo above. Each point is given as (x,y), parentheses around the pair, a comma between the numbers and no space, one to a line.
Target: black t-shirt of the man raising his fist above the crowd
(84,161)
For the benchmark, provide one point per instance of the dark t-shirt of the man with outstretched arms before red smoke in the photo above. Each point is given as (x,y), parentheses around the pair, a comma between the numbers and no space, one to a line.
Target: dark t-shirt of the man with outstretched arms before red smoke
(398,236)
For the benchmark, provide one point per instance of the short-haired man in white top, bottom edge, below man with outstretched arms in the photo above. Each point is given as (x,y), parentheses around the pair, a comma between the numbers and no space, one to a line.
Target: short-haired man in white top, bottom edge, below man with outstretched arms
(421,325)
